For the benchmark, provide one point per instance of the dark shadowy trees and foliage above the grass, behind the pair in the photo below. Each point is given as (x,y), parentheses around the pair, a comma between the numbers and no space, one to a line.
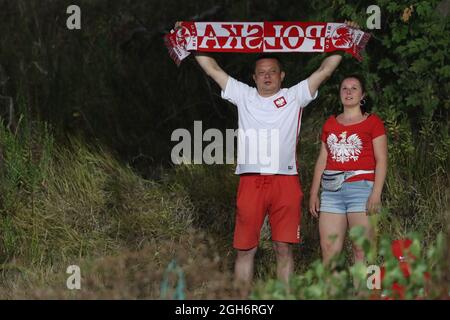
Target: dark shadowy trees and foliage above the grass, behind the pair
(113,81)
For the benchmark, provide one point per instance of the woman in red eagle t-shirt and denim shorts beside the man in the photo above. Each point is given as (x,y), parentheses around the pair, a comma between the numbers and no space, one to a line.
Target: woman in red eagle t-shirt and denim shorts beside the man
(351,168)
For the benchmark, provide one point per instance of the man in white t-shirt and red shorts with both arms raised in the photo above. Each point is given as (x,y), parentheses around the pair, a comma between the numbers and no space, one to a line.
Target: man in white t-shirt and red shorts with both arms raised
(273,187)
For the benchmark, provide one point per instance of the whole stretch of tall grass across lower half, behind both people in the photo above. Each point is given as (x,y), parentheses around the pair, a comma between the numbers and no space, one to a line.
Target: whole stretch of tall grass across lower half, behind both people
(76,204)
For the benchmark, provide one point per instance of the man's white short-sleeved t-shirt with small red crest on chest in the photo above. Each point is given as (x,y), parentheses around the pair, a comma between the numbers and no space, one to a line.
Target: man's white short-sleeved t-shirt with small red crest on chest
(268,127)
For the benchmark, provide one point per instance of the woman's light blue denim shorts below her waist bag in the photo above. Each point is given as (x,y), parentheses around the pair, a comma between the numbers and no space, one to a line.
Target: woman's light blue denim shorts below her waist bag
(352,197)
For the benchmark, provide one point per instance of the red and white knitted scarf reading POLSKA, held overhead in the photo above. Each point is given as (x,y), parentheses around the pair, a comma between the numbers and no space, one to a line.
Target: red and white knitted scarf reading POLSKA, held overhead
(251,37)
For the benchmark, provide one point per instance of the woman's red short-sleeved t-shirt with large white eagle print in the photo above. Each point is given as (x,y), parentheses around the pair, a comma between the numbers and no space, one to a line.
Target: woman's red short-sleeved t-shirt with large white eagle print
(350,146)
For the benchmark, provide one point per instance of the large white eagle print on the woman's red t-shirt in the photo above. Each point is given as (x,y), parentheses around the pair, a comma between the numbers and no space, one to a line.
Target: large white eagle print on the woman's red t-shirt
(344,149)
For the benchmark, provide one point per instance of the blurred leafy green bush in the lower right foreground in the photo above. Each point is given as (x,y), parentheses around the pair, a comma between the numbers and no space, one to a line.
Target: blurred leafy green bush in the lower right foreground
(323,282)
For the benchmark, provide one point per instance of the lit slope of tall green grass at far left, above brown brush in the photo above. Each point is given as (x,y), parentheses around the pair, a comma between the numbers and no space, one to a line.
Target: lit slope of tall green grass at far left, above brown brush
(67,205)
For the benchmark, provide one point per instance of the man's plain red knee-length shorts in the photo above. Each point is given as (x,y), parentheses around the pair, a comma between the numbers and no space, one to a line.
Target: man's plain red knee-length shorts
(279,196)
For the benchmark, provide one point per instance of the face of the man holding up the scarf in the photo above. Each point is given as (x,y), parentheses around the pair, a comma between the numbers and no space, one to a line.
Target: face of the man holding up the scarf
(268,77)
